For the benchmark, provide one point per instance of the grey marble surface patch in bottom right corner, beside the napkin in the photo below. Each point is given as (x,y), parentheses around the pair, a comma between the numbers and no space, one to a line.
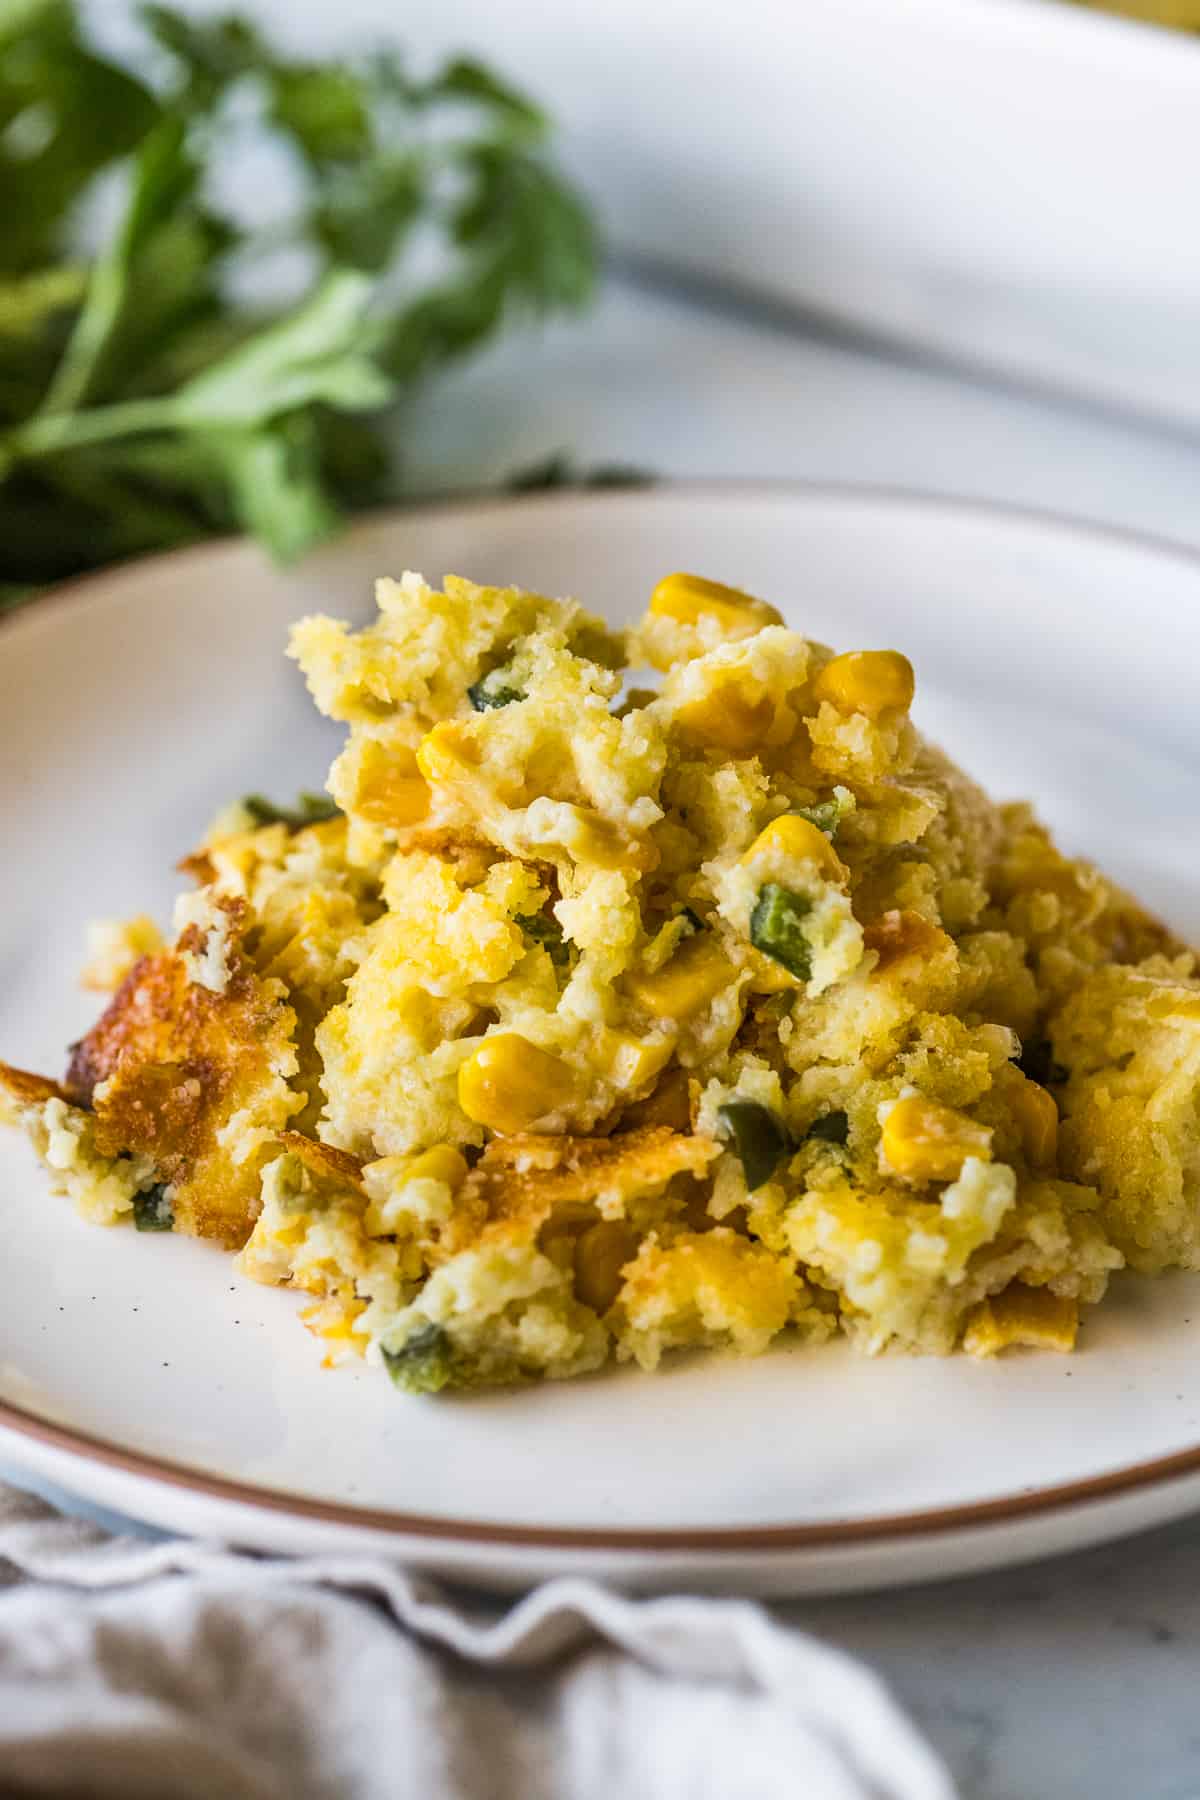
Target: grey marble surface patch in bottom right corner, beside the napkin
(1068,1680)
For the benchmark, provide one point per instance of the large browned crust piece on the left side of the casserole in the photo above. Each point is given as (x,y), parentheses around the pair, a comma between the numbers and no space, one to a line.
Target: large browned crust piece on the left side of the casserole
(177,1063)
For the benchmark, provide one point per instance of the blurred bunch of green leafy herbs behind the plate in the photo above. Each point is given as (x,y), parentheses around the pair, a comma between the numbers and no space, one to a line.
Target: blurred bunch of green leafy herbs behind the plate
(282,249)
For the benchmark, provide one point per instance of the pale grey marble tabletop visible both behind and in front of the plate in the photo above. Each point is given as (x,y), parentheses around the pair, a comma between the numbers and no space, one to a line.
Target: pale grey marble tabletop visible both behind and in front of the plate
(1071,1680)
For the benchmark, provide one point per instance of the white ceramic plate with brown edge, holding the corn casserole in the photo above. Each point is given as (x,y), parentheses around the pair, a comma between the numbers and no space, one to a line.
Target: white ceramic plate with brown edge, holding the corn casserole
(145,1376)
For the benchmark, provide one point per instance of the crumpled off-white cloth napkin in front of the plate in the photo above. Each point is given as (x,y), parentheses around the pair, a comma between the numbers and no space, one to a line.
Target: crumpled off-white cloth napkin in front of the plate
(136,1669)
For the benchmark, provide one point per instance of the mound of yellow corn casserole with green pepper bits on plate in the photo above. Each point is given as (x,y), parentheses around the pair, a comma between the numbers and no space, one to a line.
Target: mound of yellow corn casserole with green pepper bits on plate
(600,1014)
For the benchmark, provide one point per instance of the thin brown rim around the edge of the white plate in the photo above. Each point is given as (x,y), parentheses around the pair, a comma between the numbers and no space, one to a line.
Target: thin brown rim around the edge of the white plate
(823,1534)
